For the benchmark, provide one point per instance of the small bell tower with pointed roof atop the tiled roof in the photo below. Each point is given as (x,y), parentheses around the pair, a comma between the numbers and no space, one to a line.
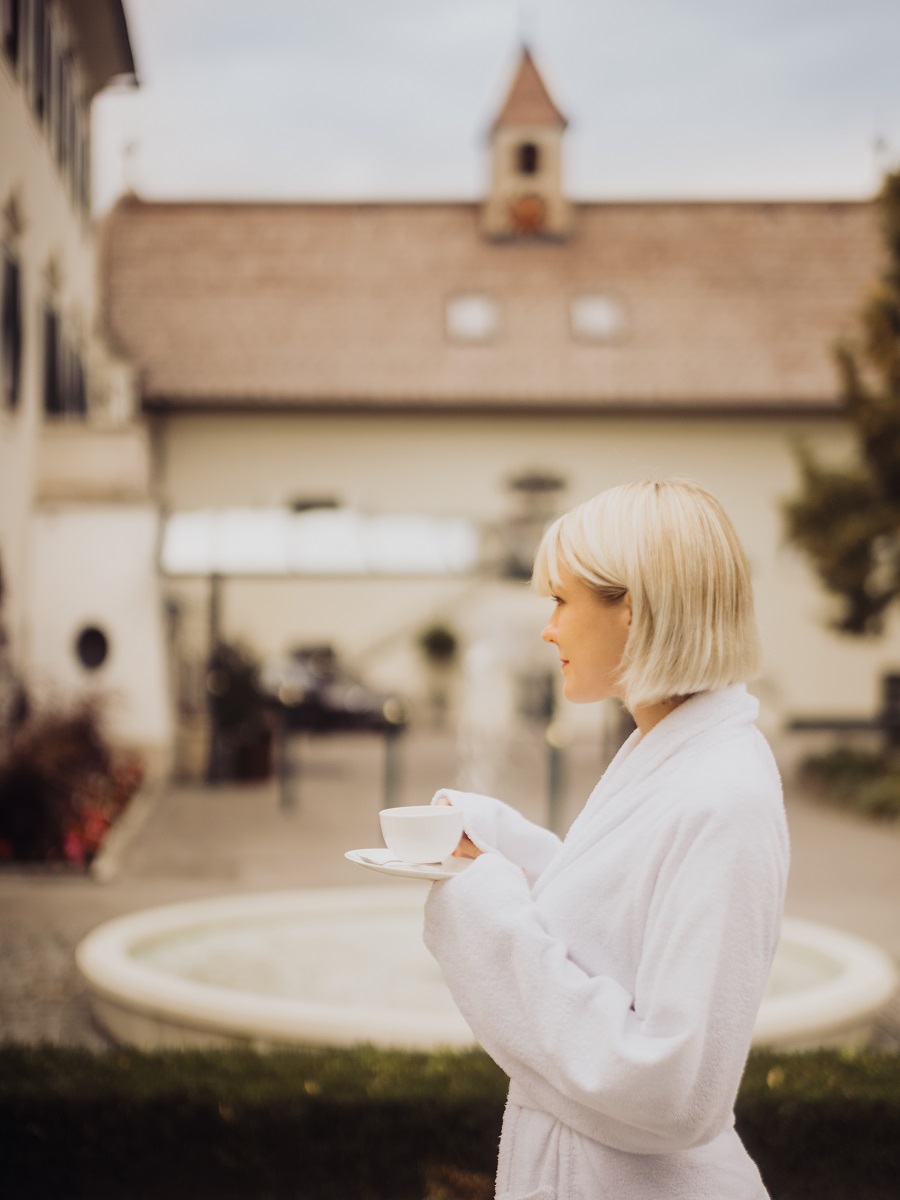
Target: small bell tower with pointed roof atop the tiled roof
(526,195)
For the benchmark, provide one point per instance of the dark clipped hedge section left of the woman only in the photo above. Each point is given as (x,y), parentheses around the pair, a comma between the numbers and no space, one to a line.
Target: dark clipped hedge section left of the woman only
(232,1125)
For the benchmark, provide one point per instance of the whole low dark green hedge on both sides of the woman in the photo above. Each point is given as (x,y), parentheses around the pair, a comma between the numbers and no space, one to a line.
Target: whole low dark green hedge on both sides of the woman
(369,1125)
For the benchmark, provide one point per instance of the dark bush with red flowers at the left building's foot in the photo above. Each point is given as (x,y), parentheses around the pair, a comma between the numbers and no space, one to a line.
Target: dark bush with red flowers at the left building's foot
(62,788)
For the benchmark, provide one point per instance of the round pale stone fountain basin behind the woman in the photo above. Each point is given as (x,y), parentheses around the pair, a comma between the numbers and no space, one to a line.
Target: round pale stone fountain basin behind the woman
(346,967)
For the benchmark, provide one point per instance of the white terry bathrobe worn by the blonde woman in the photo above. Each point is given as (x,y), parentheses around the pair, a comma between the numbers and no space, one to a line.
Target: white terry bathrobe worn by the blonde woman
(616,976)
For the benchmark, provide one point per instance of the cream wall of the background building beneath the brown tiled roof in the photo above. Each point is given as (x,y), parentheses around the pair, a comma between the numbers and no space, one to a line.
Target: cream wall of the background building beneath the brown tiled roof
(460,465)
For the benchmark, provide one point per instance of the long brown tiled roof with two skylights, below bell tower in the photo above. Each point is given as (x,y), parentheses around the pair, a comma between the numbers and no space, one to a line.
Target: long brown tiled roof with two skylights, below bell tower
(729,305)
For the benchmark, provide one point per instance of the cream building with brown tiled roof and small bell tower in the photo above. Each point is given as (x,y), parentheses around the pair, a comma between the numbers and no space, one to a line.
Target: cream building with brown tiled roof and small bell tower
(317,377)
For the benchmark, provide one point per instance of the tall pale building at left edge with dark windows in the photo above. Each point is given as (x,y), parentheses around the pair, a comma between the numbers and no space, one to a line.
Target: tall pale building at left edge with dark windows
(79,527)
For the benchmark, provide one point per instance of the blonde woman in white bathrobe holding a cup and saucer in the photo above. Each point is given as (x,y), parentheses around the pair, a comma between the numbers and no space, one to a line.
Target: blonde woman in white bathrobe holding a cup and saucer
(616,976)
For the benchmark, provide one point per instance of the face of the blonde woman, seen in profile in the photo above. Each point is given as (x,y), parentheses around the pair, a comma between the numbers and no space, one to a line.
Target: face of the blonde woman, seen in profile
(590,635)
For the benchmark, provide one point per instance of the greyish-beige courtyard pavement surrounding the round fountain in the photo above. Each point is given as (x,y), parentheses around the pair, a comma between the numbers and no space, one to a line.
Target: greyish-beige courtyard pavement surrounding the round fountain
(181,843)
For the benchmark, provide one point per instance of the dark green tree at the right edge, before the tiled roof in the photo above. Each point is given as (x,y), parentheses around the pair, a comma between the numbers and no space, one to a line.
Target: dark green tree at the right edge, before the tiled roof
(847,519)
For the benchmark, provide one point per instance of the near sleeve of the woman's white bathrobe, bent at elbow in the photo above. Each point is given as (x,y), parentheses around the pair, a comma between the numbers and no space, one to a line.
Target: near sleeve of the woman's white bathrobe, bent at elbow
(653,1069)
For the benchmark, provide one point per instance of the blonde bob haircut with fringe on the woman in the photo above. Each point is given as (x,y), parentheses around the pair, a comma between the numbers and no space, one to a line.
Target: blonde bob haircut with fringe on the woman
(669,547)
